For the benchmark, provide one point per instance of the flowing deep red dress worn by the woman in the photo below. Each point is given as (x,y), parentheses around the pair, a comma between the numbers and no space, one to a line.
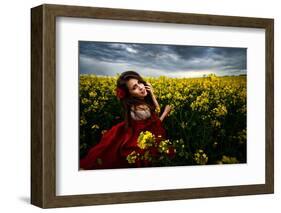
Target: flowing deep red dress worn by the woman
(118,142)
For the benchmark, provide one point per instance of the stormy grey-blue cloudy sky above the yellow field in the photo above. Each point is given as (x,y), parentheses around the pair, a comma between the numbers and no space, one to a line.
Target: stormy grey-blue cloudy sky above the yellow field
(105,58)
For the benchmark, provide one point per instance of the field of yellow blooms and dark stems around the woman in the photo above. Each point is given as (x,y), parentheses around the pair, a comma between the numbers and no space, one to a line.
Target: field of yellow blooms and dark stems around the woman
(207,124)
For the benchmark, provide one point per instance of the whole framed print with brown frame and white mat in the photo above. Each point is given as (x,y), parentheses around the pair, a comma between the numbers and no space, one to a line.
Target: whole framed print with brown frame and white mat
(168,105)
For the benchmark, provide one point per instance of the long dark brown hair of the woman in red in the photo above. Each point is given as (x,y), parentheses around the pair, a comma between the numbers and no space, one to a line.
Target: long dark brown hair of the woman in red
(128,101)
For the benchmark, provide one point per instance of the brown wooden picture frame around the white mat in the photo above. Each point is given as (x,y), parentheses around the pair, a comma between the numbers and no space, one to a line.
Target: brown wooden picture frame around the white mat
(43,105)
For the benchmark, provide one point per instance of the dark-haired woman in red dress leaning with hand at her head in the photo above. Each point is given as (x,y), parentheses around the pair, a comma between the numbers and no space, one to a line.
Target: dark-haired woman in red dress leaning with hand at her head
(140,107)
